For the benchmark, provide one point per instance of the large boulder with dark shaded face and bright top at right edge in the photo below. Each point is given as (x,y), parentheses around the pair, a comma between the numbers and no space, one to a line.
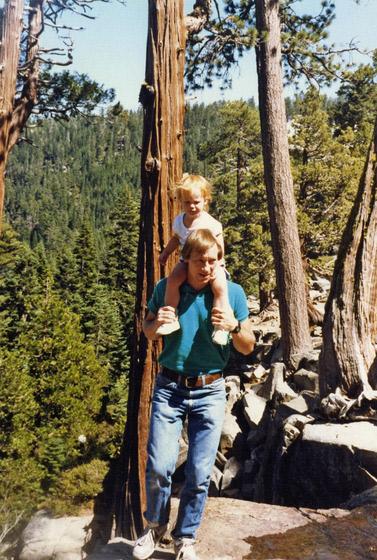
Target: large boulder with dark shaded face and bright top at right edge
(330,463)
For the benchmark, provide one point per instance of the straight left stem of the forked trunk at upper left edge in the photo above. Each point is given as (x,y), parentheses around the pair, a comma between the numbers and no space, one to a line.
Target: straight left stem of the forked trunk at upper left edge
(11,28)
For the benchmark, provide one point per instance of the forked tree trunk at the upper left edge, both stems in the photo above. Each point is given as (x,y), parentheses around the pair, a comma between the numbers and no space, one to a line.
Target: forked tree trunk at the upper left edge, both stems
(15,112)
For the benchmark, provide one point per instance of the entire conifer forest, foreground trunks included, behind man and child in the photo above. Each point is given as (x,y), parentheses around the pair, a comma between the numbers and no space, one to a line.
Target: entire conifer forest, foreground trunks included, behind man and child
(79,238)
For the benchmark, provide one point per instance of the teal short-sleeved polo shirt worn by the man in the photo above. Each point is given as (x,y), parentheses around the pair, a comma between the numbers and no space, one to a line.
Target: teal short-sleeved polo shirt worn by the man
(191,350)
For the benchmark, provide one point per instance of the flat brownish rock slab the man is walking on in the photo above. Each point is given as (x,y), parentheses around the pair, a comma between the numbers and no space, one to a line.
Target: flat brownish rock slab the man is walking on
(235,529)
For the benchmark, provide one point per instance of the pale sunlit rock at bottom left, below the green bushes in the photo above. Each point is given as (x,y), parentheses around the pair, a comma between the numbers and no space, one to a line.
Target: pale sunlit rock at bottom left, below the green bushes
(47,538)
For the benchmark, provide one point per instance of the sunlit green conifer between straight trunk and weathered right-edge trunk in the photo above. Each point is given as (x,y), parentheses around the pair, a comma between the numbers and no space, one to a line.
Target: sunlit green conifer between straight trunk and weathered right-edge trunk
(326,172)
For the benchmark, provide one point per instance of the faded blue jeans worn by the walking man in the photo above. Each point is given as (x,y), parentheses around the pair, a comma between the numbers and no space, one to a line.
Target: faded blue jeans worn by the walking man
(204,408)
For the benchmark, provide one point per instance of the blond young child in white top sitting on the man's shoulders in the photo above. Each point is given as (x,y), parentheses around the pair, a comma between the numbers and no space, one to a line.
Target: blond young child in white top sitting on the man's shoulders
(194,194)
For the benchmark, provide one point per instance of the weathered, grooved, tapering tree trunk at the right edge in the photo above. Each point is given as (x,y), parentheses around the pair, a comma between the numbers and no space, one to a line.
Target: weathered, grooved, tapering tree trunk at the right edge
(348,357)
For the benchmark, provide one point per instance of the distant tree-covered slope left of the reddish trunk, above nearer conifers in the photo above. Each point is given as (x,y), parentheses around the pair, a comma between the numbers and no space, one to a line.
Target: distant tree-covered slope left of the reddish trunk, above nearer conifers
(69,171)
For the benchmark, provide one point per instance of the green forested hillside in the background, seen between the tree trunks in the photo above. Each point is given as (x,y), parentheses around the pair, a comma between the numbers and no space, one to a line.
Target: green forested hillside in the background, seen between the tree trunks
(68,260)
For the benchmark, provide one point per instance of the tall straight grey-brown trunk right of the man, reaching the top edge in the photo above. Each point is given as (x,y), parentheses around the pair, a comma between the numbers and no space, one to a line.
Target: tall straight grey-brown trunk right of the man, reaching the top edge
(279,184)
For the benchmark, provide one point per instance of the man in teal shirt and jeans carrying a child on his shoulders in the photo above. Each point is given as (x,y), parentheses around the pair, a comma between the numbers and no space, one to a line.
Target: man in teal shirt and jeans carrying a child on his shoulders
(190,386)
